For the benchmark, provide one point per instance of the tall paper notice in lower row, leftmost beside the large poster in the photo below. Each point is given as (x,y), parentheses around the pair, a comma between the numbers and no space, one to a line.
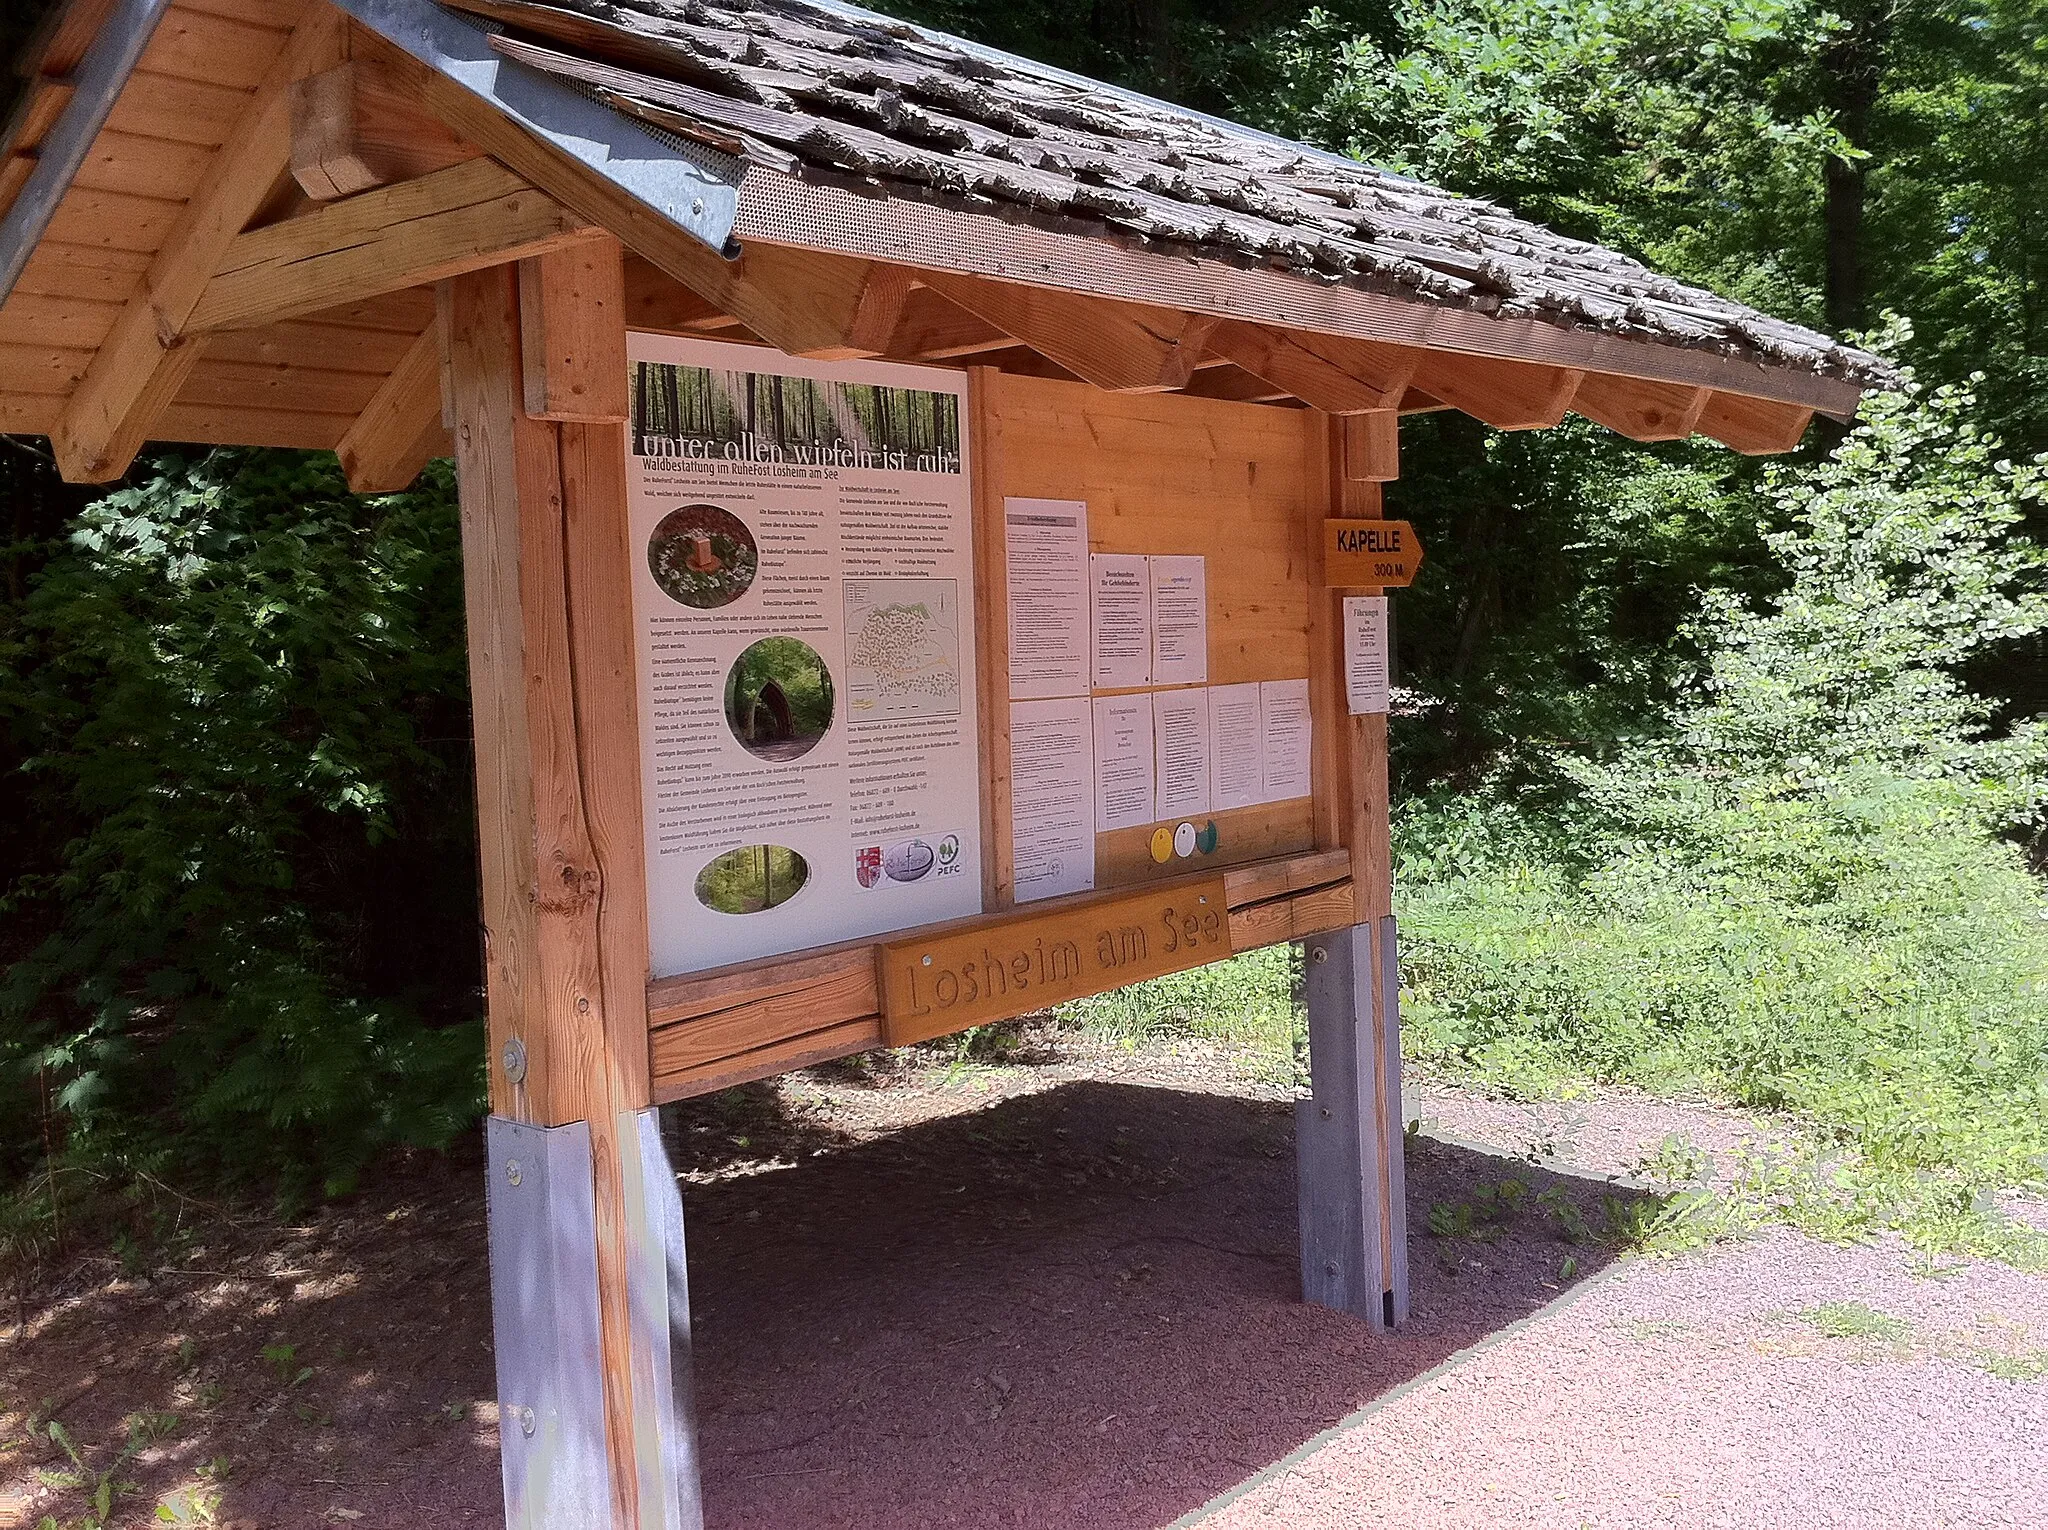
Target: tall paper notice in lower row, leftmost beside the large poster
(1052,798)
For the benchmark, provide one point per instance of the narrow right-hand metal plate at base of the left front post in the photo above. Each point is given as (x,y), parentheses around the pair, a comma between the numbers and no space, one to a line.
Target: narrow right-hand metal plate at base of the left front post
(658,1293)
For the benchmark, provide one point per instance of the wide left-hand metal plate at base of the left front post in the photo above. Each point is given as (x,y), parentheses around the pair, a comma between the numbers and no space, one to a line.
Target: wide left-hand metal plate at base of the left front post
(544,1238)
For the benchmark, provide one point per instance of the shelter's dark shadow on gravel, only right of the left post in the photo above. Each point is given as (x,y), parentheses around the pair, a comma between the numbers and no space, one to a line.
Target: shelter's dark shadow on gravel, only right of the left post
(1070,1310)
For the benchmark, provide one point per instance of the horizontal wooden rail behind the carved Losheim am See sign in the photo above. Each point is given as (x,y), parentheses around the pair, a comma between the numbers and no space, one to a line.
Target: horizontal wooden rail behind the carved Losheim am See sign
(712,1031)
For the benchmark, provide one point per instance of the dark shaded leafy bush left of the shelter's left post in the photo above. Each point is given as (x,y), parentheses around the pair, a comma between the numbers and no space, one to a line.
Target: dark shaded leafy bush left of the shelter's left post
(243,917)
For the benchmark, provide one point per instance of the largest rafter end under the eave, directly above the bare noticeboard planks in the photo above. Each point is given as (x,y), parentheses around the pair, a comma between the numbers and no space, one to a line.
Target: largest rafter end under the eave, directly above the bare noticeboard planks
(1119,347)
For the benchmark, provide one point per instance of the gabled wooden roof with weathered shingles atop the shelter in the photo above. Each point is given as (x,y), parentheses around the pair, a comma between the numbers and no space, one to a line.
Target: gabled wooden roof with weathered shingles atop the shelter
(230,232)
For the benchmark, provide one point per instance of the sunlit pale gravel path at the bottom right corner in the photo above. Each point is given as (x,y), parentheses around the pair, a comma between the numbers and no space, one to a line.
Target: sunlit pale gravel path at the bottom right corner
(1779,1384)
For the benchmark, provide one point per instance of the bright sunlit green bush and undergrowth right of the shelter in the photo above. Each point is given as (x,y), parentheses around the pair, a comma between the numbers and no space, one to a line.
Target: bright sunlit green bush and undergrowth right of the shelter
(1807,892)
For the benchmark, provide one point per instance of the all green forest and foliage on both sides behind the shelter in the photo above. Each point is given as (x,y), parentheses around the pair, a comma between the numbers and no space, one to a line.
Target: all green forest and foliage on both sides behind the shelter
(1711,773)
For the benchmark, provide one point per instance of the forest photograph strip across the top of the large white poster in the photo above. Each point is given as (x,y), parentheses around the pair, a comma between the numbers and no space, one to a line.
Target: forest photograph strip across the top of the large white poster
(775,419)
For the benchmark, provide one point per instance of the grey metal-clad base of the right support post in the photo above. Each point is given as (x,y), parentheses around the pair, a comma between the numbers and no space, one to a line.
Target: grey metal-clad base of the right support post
(1349,1132)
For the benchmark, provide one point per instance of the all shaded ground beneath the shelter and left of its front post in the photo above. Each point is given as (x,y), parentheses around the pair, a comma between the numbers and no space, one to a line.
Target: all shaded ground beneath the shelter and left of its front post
(1068,1310)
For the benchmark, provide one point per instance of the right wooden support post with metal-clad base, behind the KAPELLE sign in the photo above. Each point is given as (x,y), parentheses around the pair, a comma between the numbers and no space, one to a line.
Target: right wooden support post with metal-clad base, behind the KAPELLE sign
(1351,1130)
